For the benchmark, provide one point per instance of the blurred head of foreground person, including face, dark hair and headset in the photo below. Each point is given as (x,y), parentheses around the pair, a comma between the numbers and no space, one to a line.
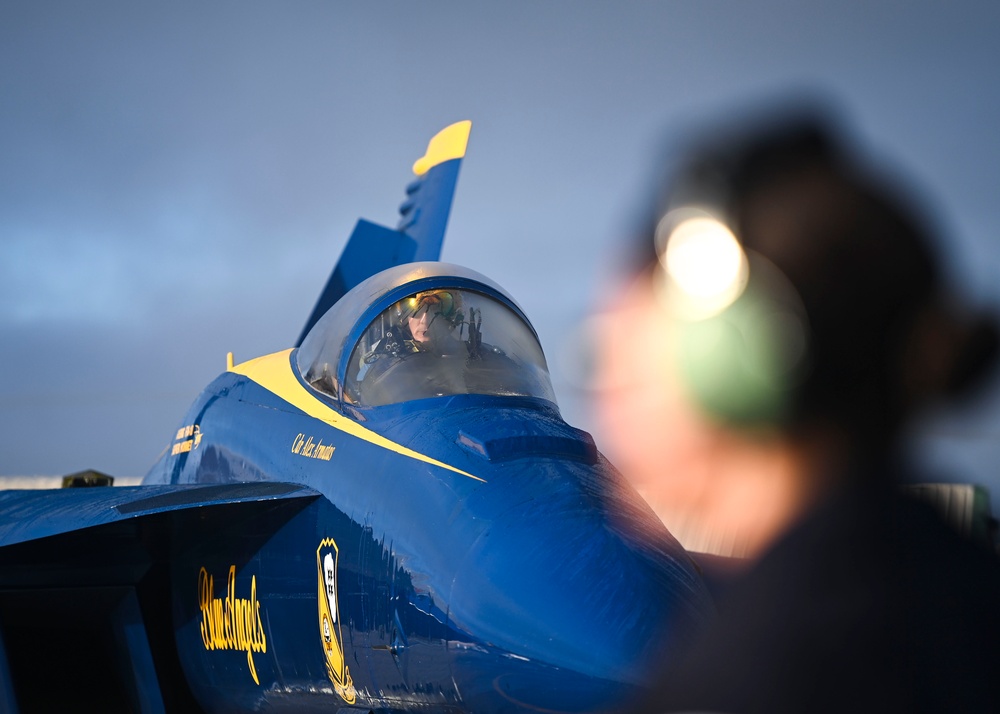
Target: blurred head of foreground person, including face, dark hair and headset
(791,314)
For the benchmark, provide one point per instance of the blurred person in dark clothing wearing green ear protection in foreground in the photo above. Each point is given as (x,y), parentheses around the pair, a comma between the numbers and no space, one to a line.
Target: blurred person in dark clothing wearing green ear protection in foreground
(802,319)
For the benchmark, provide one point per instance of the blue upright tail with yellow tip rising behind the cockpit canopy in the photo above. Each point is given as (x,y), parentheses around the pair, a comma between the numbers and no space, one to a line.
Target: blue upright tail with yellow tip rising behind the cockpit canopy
(420,233)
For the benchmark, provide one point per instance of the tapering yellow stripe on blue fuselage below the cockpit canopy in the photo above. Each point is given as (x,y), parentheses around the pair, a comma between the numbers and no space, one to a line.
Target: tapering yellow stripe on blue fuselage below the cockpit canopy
(274,373)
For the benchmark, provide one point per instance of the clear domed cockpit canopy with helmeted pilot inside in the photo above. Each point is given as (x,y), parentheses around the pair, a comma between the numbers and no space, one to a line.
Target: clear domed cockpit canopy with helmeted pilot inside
(424,330)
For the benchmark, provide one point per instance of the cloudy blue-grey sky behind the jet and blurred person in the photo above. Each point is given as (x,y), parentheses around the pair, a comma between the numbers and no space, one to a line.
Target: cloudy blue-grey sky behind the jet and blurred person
(178,179)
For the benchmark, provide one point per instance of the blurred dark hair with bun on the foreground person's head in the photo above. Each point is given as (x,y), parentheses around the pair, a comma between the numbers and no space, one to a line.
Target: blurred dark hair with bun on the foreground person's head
(886,334)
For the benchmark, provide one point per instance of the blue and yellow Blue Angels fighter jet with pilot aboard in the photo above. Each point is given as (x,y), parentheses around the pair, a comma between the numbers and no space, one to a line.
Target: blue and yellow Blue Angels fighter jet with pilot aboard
(391,516)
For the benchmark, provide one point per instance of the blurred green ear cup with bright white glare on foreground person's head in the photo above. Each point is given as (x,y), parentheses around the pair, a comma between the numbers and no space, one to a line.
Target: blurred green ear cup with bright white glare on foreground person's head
(740,334)
